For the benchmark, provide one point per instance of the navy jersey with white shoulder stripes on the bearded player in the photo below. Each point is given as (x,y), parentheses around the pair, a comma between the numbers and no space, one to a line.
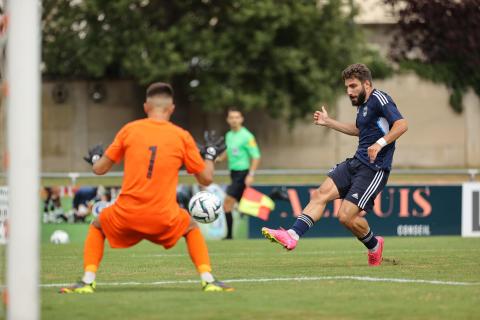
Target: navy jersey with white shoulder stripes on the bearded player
(375,118)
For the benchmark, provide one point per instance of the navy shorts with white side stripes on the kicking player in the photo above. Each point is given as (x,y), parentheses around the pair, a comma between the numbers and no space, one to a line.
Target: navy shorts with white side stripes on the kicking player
(358,183)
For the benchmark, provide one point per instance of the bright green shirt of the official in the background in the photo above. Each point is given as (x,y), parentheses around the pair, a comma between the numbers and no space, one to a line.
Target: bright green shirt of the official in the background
(241,148)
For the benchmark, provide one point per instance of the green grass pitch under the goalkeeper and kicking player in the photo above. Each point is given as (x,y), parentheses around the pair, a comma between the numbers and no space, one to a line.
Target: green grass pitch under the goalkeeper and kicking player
(315,281)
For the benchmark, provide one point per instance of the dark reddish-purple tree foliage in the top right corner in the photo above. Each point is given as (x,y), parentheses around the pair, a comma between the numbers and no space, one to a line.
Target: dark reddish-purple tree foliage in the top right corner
(440,41)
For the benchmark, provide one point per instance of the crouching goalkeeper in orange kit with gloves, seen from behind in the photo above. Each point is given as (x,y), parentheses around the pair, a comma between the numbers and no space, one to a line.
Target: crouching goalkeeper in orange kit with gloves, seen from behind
(153,150)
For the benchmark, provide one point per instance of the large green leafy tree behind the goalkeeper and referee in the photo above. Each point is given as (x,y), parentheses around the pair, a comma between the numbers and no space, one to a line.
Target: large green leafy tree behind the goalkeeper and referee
(283,56)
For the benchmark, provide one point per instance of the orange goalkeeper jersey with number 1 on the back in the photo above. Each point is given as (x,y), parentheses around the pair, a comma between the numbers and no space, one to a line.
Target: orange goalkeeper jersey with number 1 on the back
(153,153)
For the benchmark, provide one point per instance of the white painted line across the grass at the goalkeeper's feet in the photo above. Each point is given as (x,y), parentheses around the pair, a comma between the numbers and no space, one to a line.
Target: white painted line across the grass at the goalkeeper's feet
(324,278)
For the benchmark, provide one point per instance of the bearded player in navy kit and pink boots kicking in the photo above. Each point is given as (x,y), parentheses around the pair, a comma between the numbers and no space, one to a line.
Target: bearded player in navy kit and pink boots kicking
(357,180)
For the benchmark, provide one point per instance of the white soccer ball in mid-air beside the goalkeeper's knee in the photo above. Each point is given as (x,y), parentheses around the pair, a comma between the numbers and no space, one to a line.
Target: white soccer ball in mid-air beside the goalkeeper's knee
(205,207)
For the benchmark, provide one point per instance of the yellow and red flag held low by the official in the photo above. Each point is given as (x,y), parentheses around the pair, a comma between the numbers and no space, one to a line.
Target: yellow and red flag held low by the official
(256,204)
